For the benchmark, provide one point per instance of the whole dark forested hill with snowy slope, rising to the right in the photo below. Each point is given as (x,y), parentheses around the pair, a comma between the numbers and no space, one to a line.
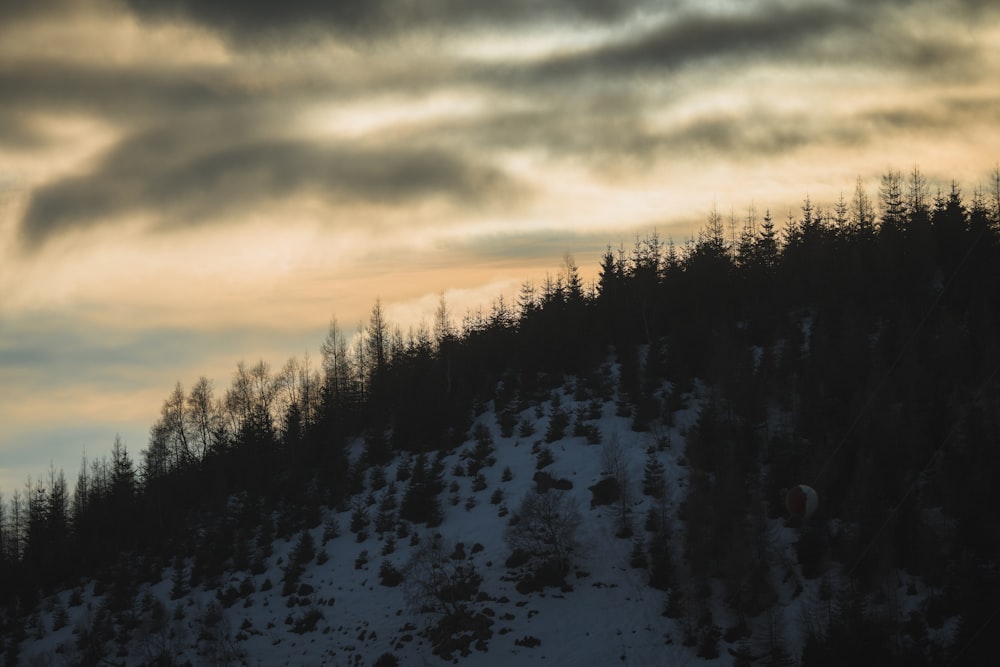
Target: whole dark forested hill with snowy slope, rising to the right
(490,493)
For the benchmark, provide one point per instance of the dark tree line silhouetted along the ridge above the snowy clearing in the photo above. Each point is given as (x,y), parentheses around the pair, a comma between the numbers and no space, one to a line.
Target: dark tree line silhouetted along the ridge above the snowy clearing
(852,347)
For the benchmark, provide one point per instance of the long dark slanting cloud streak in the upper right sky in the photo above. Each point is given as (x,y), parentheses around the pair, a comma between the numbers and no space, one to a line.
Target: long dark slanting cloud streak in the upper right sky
(793,35)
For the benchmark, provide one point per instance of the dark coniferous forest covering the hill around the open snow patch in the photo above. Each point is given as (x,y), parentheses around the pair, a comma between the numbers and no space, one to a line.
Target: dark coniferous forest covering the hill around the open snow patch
(852,347)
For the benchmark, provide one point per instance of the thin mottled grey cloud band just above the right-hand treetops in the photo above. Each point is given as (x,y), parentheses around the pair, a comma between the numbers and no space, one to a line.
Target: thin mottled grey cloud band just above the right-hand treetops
(608,133)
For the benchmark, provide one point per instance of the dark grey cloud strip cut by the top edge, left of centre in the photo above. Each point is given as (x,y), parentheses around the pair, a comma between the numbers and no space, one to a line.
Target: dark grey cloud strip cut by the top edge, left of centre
(251,21)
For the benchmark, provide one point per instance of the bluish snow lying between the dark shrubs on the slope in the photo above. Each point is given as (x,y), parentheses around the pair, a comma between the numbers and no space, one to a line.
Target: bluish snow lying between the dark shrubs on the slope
(609,617)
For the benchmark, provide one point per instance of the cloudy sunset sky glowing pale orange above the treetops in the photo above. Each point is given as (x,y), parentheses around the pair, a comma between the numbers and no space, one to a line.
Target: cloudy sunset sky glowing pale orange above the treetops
(185,184)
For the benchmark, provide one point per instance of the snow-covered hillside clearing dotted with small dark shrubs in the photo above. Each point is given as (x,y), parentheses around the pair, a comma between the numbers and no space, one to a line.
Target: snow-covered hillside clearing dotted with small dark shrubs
(340,612)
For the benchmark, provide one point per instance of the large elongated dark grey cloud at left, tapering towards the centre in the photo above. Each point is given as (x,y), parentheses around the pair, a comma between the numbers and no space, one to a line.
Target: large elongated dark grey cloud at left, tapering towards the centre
(187,179)
